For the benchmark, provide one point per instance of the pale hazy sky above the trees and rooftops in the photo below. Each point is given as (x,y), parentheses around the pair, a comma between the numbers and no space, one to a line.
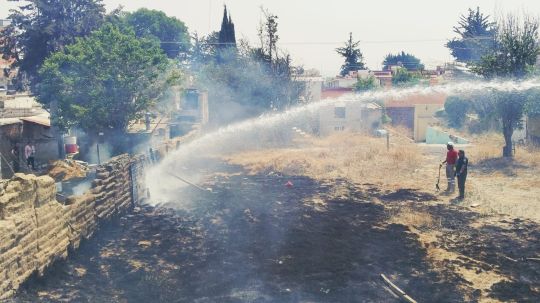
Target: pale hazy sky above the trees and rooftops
(310,30)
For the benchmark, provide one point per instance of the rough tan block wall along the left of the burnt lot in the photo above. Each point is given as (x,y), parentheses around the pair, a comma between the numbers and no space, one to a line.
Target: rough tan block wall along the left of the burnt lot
(36,229)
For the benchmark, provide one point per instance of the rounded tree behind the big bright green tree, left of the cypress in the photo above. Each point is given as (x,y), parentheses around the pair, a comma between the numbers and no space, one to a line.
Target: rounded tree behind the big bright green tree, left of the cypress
(172,33)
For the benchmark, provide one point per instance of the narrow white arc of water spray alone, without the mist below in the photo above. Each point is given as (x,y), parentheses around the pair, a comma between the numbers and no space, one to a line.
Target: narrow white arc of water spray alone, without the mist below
(235,137)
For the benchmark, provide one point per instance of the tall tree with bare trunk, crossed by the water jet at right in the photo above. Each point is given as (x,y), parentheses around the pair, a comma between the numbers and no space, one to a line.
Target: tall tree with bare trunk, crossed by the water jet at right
(513,56)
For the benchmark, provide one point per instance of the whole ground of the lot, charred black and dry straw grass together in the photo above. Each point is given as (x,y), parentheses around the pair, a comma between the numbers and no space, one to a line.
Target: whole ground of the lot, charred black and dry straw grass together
(354,211)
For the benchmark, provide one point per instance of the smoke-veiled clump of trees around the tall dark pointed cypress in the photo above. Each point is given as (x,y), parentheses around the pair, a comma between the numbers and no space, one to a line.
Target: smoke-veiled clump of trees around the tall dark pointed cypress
(260,79)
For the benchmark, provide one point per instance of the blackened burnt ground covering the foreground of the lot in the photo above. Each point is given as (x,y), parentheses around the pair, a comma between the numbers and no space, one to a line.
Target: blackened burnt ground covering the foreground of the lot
(255,240)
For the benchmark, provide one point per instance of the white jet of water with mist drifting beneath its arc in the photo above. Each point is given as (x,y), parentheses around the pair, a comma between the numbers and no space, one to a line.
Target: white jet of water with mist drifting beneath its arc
(270,130)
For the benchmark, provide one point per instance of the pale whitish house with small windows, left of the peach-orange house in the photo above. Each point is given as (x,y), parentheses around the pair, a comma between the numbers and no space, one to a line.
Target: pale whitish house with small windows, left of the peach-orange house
(349,116)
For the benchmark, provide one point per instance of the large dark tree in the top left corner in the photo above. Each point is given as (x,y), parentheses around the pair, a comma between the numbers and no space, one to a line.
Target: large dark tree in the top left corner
(41,27)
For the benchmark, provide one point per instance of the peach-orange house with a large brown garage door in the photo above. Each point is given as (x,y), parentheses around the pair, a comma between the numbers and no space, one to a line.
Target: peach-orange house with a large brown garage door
(415,112)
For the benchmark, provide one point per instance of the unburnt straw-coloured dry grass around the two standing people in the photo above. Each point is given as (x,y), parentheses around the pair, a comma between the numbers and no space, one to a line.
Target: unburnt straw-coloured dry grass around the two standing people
(501,193)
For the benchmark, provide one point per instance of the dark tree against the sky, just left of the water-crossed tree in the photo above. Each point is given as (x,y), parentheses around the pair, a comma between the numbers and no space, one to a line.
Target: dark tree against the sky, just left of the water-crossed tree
(476,36)
